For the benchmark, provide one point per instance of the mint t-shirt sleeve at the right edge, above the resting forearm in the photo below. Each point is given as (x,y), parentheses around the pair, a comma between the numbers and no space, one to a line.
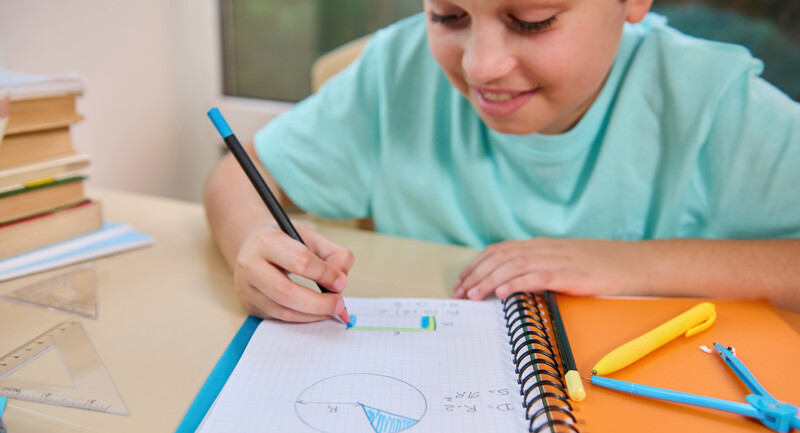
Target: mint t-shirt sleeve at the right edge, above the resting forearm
(749,169)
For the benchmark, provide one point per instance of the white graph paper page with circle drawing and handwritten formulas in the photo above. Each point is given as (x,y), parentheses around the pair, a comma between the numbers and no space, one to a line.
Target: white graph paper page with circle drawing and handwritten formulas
(411,365)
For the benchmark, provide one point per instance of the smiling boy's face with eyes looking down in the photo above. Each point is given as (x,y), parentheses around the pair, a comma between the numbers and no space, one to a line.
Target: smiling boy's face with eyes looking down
(529,65)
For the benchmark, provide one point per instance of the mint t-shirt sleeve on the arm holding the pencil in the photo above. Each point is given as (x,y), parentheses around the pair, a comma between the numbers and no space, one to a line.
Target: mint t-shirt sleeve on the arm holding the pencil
(324,151)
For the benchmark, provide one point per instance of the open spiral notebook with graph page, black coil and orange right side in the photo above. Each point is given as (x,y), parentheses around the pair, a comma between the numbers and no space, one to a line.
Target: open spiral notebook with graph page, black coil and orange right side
(449,365)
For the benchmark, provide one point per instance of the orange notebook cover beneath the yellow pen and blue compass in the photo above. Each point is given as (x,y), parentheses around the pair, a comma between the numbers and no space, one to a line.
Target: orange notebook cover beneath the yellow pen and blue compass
(764,342)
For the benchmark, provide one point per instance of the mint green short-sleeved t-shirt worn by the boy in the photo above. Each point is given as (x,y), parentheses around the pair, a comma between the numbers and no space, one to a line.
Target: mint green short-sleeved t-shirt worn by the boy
(684,140)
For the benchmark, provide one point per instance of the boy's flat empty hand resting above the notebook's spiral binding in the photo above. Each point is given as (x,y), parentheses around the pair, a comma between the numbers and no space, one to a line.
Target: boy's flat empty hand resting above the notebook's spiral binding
(581,267)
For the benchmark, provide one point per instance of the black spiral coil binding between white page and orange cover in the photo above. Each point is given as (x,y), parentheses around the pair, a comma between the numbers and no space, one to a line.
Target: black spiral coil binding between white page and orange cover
(541,383)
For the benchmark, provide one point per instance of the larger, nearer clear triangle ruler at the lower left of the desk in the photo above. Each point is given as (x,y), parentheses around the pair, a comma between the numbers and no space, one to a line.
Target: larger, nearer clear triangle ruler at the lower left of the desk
(60,367)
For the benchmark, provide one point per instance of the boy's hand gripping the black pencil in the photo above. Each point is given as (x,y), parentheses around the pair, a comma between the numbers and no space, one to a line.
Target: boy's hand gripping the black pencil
(264,288)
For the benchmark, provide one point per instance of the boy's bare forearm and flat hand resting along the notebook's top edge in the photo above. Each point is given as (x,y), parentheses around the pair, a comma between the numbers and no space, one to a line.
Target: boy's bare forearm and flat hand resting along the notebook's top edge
(742,269)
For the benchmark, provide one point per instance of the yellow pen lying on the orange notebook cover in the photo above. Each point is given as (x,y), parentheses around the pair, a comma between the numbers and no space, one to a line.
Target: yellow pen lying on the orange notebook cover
(695,320)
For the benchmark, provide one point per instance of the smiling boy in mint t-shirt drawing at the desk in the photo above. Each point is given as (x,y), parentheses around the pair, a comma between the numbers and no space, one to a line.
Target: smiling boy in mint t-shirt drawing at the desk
(586,155)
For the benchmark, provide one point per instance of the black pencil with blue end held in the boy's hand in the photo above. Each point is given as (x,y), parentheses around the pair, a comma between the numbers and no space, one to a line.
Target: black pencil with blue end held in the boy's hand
(261,186)
